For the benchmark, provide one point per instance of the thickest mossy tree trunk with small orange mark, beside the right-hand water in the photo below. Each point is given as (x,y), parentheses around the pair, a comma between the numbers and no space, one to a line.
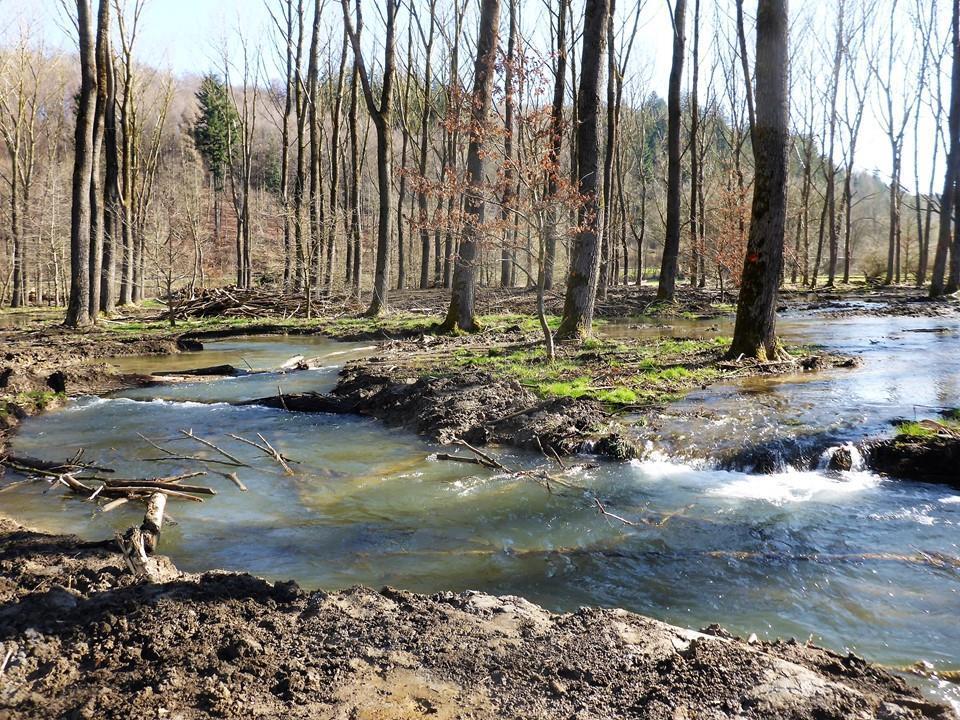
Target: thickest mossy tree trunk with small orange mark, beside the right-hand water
(755,331)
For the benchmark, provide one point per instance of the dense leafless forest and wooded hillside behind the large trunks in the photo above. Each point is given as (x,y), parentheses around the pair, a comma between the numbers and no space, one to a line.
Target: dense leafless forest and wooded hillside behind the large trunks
(333,155)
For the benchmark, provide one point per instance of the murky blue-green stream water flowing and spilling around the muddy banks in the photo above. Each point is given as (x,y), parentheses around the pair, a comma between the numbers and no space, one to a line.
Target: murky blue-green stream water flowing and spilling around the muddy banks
(855,561)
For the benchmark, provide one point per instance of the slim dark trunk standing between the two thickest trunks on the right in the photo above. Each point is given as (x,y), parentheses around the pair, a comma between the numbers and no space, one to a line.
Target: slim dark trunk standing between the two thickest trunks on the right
(671,243)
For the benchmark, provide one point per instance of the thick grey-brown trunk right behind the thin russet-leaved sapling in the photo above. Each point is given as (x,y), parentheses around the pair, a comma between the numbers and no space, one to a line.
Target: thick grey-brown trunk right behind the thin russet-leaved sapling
(585,256)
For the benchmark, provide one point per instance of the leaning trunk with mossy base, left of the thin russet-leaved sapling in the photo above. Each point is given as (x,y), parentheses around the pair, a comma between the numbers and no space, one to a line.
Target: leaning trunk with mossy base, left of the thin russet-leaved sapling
(462,308)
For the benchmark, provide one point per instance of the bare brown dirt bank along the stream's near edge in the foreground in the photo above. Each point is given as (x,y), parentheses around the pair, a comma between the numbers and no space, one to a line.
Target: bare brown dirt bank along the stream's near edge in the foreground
(84,640)
